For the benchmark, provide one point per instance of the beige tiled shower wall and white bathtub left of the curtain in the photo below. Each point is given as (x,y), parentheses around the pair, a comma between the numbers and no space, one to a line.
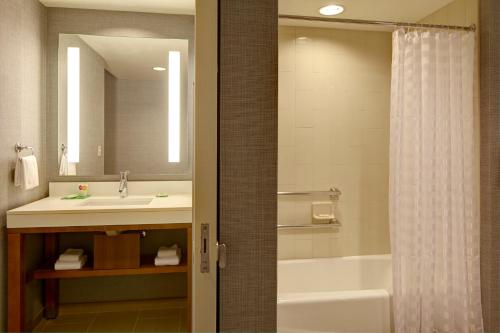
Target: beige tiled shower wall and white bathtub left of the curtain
(334,246)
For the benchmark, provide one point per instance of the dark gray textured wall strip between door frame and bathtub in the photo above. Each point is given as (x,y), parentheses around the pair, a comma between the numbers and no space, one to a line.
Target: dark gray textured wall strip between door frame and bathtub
(248,156)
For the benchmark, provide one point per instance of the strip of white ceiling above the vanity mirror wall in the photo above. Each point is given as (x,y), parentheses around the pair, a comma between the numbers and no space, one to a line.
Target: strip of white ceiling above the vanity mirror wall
(145,6)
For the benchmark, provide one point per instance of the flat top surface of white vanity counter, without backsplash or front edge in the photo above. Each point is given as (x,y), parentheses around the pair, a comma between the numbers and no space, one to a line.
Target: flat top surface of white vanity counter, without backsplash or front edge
(56,205)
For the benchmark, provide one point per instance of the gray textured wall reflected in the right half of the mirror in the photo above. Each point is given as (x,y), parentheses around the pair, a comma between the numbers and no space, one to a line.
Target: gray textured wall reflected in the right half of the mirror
(136,127)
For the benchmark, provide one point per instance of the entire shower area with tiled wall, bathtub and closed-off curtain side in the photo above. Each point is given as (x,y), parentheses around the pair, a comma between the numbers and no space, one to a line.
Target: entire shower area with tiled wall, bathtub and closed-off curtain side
(377,160)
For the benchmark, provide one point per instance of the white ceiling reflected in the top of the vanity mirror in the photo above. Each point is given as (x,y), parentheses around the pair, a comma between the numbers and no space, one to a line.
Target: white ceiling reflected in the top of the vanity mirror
(134,58)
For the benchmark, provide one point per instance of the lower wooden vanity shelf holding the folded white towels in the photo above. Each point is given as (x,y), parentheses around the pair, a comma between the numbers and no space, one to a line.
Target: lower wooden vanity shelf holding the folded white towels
(47,271)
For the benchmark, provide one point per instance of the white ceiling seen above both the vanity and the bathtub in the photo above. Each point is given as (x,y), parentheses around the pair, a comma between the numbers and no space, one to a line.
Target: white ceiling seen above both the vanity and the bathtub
(387,10)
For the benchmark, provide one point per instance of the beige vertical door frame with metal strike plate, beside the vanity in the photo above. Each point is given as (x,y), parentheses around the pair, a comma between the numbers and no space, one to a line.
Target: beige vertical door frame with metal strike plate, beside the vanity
(204,285)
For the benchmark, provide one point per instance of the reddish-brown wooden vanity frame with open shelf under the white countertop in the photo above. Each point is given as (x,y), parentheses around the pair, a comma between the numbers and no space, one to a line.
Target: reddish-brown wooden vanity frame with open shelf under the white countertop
(18,277)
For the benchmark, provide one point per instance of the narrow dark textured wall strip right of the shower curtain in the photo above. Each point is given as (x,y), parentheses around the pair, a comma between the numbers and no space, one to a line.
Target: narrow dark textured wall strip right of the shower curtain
(490,163)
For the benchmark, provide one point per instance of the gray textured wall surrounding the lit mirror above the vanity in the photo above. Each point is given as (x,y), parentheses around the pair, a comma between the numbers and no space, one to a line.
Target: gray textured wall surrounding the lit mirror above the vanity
(118,24)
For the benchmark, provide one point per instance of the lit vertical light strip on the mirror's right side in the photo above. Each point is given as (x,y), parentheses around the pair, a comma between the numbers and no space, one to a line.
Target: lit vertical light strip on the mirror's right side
(174,106)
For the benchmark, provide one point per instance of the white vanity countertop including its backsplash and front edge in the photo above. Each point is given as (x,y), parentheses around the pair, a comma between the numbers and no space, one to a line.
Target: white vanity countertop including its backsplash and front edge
(54,211)
